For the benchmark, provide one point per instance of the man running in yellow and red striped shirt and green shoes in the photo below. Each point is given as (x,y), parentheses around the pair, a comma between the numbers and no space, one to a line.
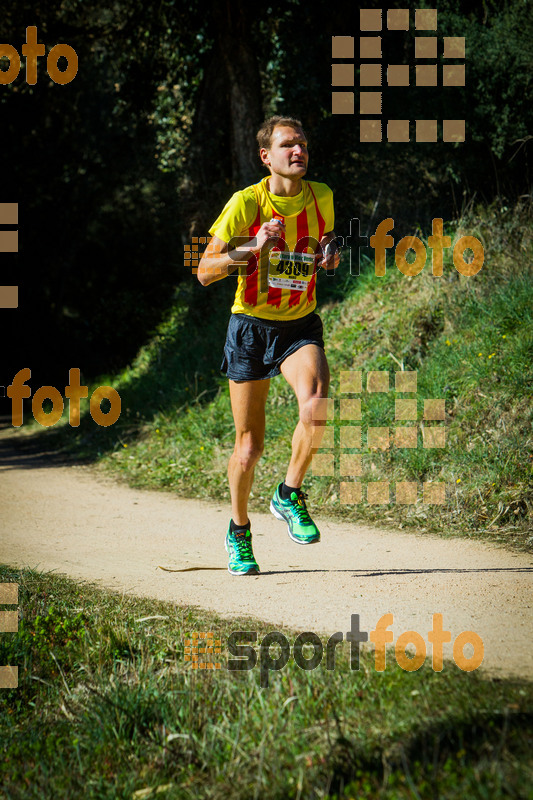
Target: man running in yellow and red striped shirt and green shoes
(273,327)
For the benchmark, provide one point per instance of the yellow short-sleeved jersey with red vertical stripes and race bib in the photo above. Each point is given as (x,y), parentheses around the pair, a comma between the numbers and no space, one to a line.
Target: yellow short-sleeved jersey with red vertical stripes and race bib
(282,286)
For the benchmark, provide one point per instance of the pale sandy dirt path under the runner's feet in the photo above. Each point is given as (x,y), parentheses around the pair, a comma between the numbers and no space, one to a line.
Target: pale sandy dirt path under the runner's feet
(70,520)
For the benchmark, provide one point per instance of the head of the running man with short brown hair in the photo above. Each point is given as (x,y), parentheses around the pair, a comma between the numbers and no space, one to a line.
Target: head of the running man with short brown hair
(283,147)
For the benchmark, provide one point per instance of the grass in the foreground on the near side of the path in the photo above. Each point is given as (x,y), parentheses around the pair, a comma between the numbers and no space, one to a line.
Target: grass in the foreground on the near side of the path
(107,707)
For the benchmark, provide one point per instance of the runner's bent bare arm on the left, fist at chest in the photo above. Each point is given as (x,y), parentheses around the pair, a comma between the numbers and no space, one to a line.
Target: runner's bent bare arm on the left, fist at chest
(218,262)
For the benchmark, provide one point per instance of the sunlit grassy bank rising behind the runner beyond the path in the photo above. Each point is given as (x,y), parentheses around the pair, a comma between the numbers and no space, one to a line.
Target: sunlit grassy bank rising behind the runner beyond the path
(470,340)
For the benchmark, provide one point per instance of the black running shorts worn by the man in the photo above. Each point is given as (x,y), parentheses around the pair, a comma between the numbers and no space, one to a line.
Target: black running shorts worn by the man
(255,348)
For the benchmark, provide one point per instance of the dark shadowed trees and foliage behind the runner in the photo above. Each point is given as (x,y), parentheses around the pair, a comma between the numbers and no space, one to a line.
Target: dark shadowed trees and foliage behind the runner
(115,171)
